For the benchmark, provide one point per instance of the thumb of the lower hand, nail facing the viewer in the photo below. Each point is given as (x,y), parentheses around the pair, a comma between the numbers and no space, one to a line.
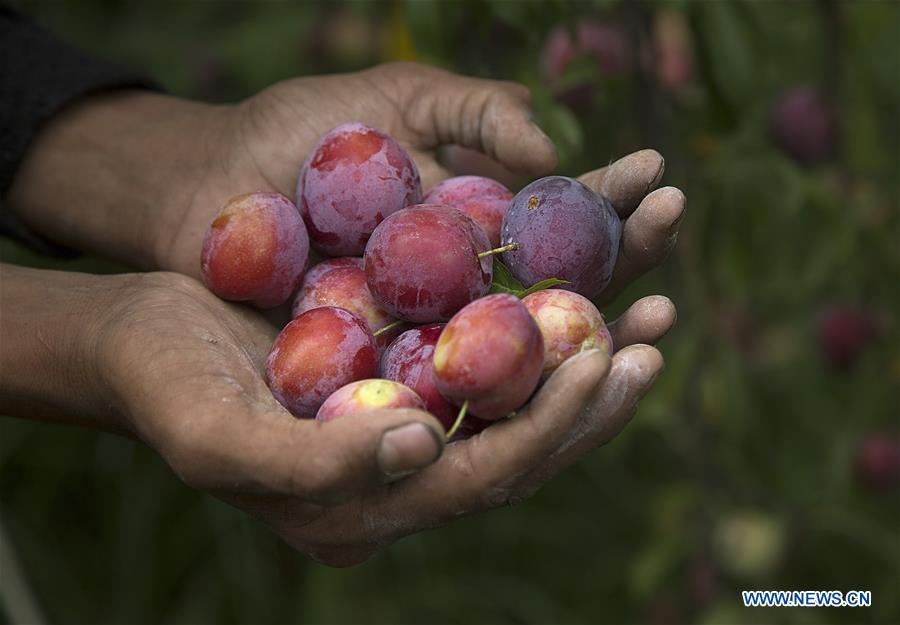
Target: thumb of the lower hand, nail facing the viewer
(273,453)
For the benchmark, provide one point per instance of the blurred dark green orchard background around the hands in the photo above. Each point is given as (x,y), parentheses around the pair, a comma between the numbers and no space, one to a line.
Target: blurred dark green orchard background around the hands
(765,457)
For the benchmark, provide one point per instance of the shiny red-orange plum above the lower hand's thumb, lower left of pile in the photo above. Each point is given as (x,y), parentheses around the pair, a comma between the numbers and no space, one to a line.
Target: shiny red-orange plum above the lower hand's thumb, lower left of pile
(316,354)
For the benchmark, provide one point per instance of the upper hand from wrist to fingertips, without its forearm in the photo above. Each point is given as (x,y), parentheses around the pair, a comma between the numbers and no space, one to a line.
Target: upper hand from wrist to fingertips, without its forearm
(266,138)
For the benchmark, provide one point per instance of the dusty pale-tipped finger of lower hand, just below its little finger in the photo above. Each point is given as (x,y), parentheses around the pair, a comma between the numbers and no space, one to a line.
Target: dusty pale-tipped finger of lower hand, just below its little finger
(634,370)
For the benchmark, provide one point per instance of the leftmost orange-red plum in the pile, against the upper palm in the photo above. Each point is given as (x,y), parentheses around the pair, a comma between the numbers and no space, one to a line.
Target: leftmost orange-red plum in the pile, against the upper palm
(255,250)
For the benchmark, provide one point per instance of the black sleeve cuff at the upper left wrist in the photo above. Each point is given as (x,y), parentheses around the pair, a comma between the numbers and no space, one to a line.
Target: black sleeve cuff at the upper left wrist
(39,75)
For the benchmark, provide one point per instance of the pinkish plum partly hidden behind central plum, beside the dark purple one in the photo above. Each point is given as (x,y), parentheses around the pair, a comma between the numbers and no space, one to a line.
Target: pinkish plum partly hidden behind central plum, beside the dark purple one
(482,199)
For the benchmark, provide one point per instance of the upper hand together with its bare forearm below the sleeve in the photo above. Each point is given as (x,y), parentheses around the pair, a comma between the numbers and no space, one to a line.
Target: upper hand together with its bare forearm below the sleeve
(143,174)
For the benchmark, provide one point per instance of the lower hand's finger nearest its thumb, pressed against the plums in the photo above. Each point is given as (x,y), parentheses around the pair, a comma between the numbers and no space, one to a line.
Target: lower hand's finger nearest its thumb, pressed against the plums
(478,473)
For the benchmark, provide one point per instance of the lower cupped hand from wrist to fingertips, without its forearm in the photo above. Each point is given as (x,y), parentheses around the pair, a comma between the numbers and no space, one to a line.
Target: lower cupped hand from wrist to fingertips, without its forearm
(186,369)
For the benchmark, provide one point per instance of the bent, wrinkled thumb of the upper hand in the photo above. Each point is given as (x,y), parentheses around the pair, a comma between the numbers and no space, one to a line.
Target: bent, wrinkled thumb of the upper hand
(493,117)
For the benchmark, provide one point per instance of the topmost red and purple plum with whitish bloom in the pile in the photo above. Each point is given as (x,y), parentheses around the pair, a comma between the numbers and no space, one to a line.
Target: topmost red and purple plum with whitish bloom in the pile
(354,178)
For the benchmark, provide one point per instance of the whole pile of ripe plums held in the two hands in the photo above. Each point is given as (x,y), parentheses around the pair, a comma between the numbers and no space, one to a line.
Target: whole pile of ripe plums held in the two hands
(480,334)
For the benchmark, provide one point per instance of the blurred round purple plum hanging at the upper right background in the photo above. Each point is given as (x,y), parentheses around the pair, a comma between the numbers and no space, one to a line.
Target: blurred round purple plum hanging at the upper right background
(803,125)
